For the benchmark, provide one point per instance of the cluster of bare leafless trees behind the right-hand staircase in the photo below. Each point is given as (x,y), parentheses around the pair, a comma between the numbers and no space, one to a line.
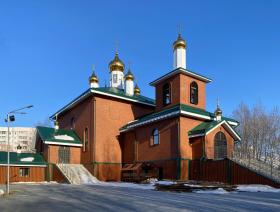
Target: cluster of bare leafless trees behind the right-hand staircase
(260,132)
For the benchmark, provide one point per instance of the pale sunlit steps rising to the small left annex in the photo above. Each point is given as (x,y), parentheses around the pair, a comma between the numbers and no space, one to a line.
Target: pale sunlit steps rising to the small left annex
(76,174)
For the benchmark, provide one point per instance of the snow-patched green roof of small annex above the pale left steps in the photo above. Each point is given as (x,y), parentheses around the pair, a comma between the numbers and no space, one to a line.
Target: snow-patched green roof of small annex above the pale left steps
(59,137)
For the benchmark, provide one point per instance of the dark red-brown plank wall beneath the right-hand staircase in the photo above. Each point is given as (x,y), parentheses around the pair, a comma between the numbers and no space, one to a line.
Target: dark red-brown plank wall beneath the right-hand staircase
(226,171)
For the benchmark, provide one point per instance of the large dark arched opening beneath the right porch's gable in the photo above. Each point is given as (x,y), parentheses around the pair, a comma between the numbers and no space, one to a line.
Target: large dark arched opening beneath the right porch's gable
(220,146)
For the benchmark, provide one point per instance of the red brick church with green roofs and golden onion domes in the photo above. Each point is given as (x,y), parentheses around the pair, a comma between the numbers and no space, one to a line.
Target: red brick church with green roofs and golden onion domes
(115,127)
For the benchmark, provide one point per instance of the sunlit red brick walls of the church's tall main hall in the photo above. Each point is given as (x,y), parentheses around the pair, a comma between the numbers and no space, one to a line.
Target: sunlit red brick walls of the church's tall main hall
(111,115)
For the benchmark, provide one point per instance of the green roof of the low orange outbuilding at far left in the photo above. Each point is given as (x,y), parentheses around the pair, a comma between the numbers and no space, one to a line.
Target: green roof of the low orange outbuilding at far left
(22,159)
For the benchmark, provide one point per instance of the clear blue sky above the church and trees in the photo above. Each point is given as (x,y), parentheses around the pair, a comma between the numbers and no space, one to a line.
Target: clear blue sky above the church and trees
(47,49)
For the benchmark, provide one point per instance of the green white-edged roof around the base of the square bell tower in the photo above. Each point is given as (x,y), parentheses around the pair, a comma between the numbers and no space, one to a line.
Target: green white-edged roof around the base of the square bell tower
(171,112)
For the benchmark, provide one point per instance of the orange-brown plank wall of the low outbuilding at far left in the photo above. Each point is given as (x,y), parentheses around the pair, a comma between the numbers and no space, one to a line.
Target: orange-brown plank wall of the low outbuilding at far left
(37,174)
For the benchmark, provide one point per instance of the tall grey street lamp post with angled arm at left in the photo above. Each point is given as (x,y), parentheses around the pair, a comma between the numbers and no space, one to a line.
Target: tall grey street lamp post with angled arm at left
(11,118)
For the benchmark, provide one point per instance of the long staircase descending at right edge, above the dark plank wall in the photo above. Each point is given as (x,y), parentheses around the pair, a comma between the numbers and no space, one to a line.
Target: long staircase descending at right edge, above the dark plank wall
(260,167)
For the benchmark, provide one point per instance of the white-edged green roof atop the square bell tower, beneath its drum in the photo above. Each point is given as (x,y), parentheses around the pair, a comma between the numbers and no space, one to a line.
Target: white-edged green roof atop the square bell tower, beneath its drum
(182,71)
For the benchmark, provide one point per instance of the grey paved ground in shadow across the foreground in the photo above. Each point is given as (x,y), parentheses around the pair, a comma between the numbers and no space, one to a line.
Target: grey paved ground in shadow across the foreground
(57,197)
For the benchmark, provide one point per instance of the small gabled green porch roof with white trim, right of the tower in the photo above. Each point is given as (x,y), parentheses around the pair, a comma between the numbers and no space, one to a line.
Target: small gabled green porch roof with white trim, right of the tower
(206,127)
